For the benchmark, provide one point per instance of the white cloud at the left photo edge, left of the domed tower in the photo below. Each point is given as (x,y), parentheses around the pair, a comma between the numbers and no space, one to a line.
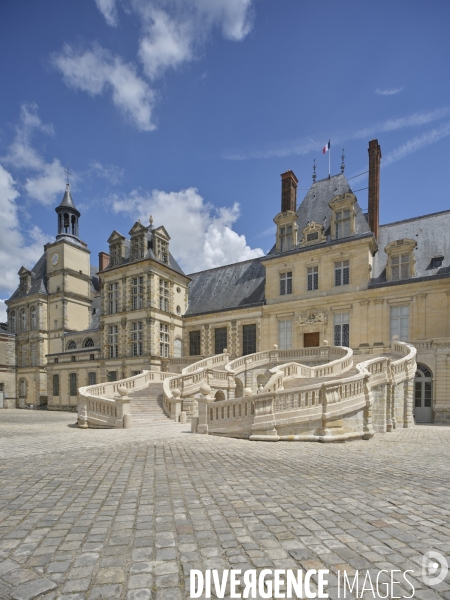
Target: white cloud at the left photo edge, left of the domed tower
(16,248)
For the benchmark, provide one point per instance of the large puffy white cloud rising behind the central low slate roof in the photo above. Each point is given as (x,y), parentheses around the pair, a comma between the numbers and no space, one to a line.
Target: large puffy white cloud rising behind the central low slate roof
(201,235)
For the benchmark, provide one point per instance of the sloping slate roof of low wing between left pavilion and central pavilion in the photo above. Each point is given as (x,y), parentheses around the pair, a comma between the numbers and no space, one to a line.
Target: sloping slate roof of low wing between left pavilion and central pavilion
(229,287)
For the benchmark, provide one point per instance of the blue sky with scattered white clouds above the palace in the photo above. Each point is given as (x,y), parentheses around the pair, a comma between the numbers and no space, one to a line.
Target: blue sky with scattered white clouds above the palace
(190,111)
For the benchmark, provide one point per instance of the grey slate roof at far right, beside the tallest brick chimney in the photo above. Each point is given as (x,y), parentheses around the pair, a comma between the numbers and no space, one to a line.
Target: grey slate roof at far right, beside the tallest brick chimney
(432,234)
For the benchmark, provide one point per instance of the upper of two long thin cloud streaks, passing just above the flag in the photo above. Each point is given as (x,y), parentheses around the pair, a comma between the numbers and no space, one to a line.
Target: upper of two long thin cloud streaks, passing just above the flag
(305,145)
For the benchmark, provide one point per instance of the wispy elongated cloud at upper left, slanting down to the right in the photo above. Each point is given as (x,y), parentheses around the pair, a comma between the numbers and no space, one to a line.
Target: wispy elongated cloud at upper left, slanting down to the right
(96,72)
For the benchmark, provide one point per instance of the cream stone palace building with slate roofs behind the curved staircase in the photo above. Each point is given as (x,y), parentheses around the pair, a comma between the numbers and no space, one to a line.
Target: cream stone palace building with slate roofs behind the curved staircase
(334,273)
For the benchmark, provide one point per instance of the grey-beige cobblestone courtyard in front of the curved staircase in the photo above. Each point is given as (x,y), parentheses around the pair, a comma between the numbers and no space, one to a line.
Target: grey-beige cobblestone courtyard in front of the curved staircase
(91,514)
